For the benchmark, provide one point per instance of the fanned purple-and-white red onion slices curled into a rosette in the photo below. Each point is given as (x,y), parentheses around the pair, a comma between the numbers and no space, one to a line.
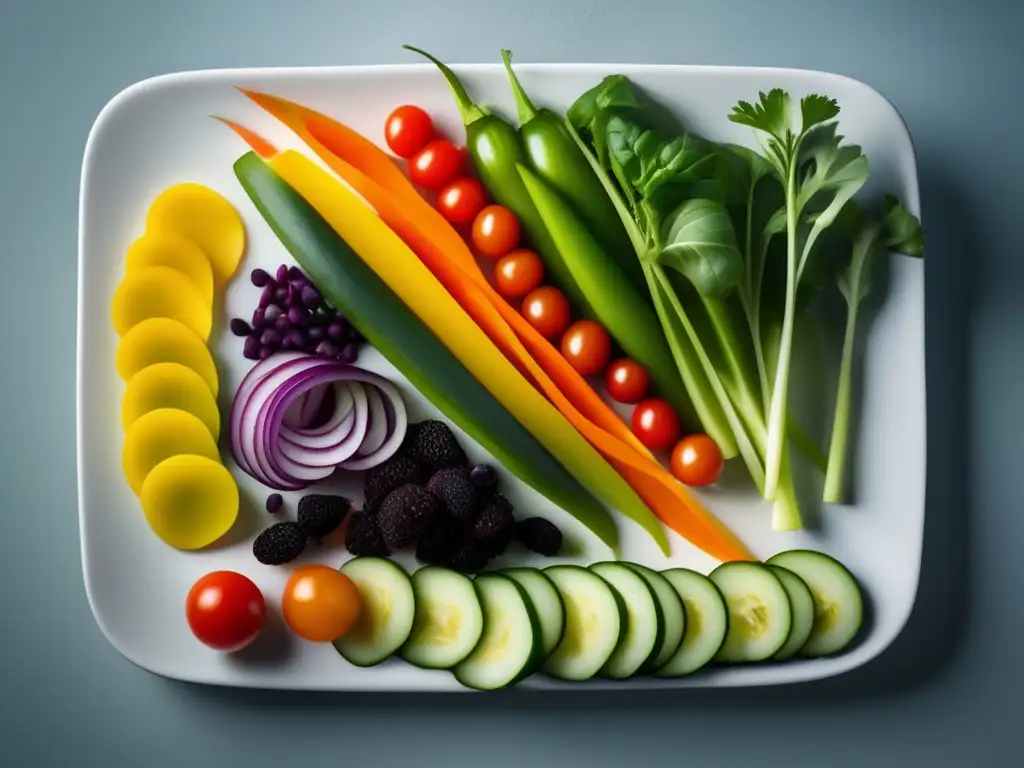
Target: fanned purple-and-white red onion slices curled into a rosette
(275,436)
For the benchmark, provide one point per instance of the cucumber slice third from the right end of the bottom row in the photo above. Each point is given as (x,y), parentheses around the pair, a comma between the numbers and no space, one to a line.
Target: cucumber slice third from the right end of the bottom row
(759,612)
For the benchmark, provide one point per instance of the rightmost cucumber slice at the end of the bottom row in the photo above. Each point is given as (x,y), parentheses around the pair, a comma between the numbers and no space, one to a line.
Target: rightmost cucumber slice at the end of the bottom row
(839,606)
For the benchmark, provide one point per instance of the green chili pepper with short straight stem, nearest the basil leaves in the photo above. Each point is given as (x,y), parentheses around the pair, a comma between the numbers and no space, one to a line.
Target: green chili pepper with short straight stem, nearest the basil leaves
(558,159)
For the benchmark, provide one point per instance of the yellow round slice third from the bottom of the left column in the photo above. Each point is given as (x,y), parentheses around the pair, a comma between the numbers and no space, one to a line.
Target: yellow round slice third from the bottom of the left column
(169,386)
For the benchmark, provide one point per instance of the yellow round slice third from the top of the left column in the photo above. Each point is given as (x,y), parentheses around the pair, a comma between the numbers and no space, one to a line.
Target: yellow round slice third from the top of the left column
(160,292)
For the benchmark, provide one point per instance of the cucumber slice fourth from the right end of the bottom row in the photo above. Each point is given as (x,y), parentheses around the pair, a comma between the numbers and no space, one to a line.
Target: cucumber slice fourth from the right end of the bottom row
(707,622)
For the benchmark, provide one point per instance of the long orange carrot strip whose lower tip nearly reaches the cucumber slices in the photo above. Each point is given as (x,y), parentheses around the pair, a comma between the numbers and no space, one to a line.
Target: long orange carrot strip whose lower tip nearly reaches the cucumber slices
(673,504)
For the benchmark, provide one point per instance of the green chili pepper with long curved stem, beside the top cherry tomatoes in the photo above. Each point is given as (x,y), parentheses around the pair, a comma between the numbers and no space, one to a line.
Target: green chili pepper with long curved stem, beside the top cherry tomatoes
(494,144)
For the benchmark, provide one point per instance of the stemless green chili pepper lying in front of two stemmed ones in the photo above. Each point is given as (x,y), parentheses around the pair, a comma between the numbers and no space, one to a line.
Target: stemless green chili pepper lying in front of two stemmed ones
(623,311)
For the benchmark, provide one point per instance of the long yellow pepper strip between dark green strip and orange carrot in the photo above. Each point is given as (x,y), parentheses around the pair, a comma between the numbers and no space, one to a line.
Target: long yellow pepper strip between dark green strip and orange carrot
(395,263)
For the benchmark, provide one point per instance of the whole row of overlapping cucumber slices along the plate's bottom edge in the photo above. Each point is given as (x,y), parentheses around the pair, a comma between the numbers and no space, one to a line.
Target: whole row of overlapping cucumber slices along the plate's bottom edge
(613,620)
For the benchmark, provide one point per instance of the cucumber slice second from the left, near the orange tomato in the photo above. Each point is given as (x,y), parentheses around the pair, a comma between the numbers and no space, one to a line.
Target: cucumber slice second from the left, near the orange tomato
(449,619)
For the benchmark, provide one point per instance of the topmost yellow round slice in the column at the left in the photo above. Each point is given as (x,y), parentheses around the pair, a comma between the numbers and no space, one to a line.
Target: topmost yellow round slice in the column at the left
(205,218)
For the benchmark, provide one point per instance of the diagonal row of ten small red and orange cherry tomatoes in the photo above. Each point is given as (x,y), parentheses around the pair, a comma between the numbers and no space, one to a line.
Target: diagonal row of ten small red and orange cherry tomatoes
(437,165)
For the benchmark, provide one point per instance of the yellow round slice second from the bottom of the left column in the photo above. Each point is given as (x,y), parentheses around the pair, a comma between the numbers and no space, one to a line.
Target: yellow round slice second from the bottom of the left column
(161,435)
